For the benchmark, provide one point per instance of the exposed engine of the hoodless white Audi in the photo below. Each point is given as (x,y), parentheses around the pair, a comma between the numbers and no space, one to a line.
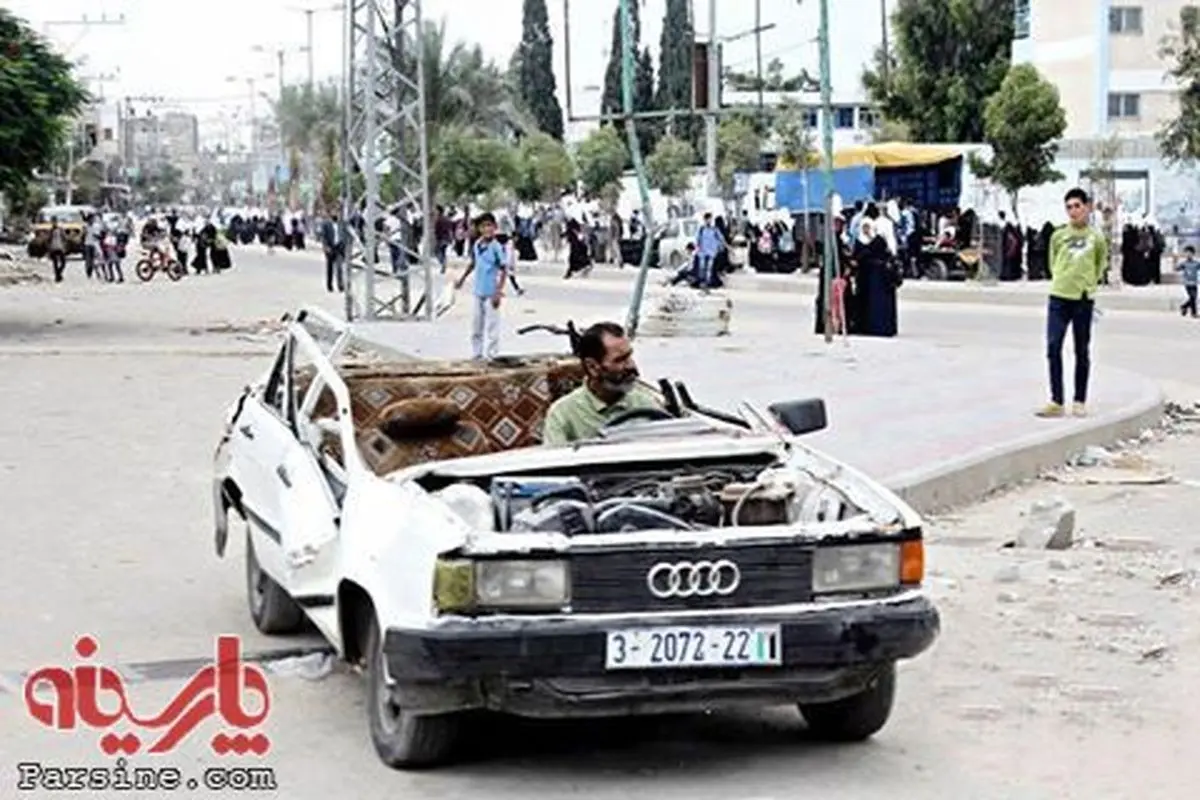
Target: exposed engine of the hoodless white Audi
(661,501)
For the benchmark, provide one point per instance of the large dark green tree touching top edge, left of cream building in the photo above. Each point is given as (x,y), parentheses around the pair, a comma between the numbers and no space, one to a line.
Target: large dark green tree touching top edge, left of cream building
(950,58)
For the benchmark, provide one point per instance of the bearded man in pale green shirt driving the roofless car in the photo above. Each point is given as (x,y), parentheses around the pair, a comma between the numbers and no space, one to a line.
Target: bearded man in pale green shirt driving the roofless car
(610,389)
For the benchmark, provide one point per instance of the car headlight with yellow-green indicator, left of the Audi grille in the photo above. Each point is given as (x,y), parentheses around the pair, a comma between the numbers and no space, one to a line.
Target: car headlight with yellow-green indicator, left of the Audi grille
(527,585)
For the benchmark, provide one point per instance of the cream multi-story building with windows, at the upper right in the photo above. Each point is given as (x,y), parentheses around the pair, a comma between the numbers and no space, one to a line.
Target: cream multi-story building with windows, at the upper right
(1103,56)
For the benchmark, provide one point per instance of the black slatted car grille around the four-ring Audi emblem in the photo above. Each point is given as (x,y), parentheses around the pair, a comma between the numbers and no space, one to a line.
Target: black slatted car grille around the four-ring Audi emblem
(615,582)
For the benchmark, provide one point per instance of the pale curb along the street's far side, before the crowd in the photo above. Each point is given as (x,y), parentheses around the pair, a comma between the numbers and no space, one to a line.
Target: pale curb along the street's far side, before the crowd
(1167,297)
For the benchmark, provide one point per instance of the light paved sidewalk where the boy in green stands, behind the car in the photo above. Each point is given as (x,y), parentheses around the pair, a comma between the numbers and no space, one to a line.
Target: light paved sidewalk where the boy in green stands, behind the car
(944,425)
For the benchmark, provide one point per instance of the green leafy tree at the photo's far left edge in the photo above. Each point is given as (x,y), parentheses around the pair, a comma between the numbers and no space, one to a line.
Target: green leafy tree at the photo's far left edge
(38,98)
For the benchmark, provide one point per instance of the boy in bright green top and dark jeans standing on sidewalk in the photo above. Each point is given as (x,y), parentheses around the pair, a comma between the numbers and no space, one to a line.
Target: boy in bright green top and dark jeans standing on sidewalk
(1079,257)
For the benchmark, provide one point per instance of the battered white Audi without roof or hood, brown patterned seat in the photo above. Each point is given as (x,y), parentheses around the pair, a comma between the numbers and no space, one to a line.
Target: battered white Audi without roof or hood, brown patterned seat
(685,560)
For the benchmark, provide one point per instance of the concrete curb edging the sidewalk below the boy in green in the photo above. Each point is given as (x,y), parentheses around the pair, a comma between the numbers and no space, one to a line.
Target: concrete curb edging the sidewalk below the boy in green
(974,478)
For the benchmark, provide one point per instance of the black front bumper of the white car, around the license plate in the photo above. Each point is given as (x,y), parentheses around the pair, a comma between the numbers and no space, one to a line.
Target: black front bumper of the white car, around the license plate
(545,669)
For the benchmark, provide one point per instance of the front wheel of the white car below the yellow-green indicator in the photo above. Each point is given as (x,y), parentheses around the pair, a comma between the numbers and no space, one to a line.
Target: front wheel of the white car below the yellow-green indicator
(403,741)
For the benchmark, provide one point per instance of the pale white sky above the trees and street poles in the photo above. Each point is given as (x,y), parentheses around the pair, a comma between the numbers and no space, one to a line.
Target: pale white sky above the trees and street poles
(201,52)
